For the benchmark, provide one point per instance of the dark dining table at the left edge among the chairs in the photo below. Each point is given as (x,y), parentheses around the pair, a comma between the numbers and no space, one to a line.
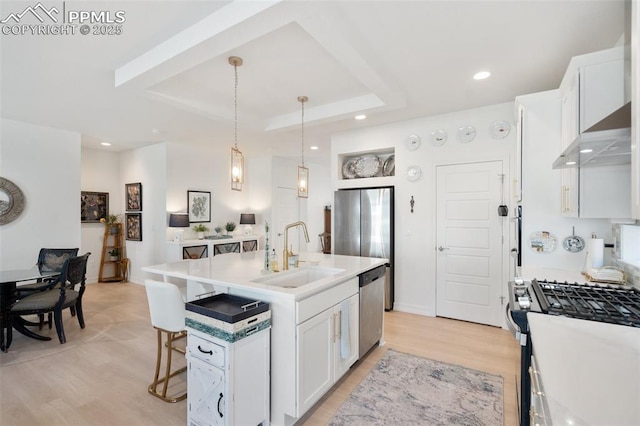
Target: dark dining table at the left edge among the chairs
(9,282)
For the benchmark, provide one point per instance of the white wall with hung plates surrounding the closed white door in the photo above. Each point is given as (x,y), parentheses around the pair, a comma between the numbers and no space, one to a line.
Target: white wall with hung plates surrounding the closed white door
(415,255)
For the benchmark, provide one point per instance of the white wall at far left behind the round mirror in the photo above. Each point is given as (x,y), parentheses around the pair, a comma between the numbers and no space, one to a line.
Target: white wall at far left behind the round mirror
(45,164)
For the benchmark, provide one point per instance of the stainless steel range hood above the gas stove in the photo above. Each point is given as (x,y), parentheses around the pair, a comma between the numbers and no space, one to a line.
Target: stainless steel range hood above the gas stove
(606,143)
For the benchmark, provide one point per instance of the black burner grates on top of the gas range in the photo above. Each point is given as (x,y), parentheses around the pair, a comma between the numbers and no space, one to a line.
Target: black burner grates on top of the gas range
(601,303)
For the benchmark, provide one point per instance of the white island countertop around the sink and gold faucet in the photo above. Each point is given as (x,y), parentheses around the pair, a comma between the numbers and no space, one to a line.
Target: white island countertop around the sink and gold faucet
(241,270)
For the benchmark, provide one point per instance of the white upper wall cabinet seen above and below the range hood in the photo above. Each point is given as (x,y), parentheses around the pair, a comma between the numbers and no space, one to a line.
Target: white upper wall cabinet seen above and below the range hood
(592,88)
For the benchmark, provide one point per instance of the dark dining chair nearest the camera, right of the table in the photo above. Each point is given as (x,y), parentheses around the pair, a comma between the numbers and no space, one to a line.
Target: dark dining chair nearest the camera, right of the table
(66,292)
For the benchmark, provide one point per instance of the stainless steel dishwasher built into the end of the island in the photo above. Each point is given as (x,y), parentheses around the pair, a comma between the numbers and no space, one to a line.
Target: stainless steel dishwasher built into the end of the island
(371,308)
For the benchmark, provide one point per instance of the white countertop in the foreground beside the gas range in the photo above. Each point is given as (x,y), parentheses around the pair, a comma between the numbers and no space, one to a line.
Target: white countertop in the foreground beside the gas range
(590,371)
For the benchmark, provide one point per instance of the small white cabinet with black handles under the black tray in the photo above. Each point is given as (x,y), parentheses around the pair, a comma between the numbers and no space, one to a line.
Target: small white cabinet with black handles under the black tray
(228,383)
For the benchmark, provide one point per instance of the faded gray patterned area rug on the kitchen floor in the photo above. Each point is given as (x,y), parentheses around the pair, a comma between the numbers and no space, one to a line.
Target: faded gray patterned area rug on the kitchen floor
(405,389)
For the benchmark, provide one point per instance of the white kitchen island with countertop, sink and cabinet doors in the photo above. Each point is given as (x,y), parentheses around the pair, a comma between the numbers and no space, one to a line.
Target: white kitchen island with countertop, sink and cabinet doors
(314,316)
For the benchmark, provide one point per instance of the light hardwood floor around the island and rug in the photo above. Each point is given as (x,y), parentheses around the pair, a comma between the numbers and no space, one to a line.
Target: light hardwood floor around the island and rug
(100,376)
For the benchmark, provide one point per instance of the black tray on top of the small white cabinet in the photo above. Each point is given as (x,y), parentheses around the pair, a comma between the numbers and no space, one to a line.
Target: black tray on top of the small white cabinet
(227,308)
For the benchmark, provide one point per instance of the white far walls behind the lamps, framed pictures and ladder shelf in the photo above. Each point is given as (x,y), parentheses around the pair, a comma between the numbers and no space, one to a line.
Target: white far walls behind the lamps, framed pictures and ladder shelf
(167,171)
